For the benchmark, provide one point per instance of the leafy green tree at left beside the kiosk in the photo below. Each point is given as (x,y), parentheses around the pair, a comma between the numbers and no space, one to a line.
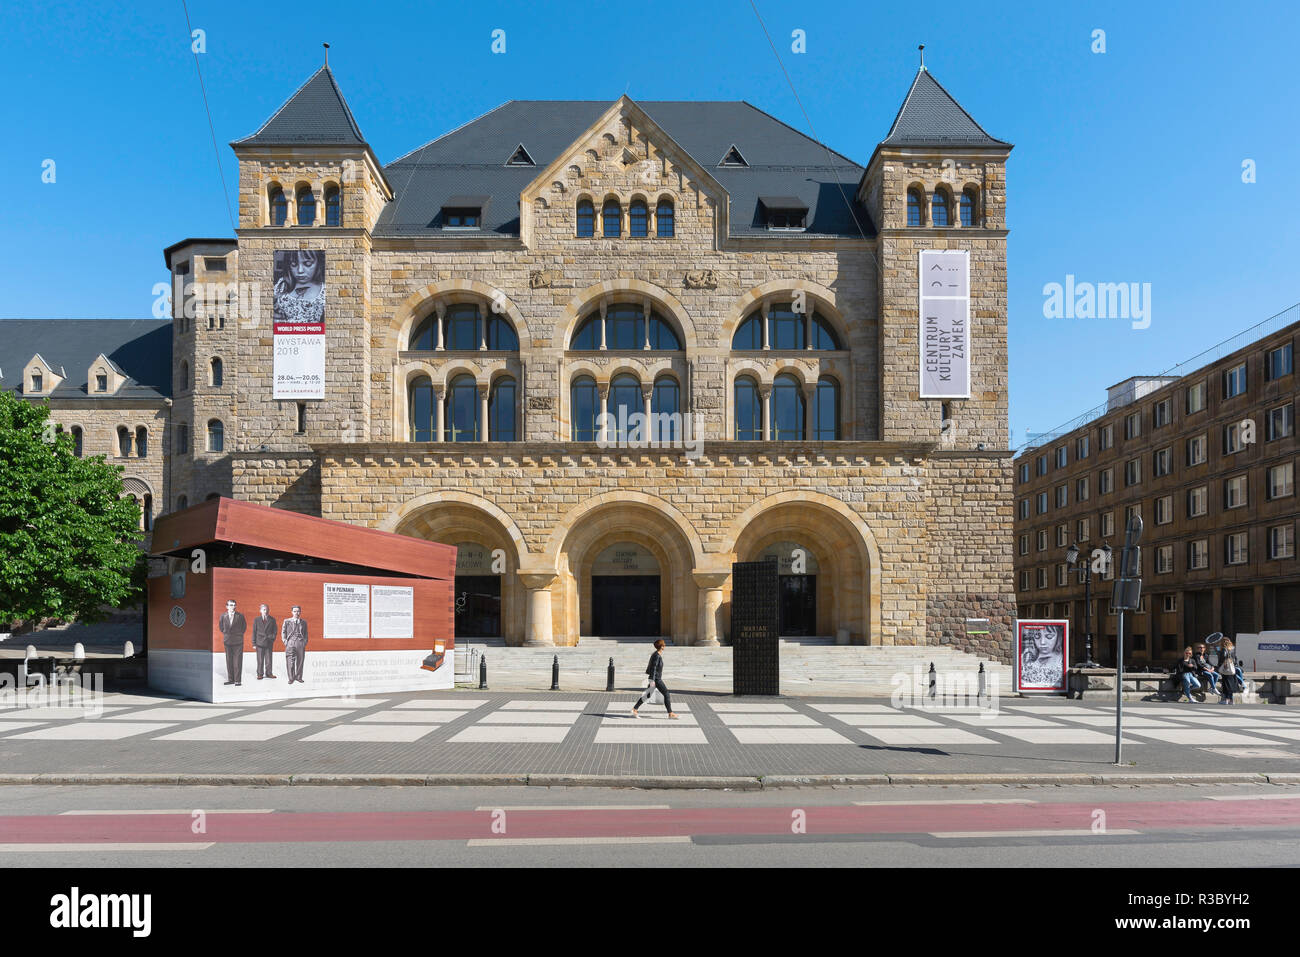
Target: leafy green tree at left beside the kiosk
(70,540)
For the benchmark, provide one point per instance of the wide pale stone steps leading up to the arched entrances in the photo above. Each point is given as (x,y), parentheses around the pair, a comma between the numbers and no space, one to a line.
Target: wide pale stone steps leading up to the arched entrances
(809,666)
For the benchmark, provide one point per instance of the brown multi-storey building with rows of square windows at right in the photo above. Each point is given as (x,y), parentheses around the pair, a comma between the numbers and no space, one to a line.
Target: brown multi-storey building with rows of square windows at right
(1208,461)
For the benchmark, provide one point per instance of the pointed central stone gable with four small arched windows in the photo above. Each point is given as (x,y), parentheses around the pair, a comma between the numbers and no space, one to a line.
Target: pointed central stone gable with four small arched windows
(623,179)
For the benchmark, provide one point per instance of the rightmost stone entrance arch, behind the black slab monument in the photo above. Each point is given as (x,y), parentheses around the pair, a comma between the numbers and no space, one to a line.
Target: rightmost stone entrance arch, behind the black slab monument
(842,558)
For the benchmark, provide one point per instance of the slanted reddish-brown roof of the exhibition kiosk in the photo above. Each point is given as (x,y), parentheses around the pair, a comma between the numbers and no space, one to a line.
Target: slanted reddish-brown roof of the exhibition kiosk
(245,523)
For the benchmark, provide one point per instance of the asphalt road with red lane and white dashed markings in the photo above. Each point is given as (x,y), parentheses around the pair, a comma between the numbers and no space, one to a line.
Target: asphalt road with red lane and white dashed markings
(1182,826)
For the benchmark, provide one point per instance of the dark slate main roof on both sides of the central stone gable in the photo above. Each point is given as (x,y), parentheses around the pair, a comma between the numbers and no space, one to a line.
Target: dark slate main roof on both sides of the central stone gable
(473,162)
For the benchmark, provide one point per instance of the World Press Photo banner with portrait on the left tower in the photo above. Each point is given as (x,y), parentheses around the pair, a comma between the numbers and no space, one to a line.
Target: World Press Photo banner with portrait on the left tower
(298,324)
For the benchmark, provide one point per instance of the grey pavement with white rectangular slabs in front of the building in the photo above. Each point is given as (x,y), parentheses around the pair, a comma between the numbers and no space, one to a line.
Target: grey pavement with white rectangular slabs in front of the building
(493,733)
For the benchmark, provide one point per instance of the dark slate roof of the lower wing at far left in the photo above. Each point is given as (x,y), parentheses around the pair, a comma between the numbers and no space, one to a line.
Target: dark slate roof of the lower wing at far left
(140,348)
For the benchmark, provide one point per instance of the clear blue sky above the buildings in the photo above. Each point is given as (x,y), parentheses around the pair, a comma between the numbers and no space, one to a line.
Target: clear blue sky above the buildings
(1128,164)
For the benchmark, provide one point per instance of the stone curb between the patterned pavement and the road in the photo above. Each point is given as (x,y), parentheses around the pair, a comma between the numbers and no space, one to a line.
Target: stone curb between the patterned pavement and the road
(642,782)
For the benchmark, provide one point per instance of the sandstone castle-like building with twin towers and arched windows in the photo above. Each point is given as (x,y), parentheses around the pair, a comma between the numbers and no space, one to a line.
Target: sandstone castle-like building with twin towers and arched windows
(492,297)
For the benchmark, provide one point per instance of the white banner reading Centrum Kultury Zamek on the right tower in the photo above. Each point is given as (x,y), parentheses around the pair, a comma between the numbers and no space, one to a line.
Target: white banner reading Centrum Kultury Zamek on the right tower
(946,335)
